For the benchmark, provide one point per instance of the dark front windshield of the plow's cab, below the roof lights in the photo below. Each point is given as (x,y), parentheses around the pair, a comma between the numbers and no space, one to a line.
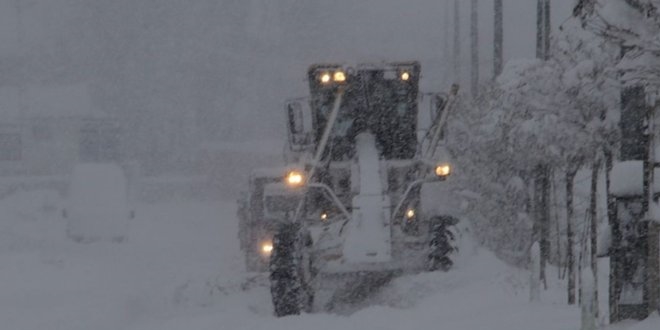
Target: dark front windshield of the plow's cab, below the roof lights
(372,102)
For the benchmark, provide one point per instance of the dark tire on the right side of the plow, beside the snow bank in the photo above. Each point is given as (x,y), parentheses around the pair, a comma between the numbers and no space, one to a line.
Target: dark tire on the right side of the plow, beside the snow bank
(442,244)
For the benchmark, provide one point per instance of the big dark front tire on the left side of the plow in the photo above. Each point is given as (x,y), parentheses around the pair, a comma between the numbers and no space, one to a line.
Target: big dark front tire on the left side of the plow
(289,282)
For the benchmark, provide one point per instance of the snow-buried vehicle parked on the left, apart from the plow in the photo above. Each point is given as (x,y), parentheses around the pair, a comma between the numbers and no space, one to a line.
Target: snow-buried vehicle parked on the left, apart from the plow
(97,207)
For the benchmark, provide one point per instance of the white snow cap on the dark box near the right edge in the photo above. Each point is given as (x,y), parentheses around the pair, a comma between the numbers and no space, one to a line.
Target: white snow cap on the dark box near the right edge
(627,178)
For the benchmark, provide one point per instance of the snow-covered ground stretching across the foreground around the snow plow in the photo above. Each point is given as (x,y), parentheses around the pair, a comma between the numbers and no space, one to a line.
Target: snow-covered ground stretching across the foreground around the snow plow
(181,269)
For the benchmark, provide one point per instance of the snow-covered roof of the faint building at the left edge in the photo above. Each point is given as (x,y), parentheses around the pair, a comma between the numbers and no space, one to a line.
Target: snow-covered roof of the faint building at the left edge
(48,101)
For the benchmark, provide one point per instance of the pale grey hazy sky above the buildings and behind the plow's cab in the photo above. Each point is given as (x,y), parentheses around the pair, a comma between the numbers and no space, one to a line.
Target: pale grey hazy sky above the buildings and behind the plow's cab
(182,74)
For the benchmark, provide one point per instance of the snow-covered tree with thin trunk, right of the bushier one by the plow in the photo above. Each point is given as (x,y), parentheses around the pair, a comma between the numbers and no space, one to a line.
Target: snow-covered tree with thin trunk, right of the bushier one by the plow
(592,88)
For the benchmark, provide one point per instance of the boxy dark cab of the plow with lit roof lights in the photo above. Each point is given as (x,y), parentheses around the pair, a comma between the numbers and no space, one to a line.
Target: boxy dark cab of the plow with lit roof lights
(378,99)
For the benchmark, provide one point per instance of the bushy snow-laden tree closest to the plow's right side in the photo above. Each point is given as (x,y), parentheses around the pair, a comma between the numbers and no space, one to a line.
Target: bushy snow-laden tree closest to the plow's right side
(503,137)
